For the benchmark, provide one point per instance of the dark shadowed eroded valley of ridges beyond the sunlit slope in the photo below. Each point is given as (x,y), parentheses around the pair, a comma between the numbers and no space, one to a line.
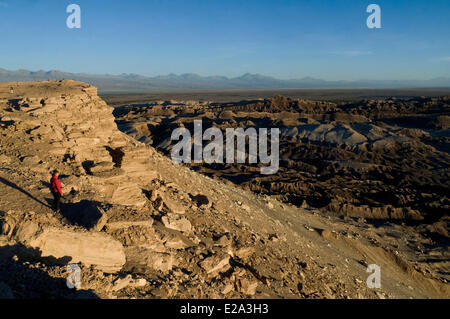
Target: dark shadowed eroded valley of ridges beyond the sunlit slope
(377,159)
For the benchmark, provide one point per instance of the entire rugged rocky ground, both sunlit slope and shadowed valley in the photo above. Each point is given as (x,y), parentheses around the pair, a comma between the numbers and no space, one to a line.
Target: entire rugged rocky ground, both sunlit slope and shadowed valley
(140,226)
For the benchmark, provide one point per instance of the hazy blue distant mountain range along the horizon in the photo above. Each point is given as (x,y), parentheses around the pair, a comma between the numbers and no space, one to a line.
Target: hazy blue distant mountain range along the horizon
(139,83)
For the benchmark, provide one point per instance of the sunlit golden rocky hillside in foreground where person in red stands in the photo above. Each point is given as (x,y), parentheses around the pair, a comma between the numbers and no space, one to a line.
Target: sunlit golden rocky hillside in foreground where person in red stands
(140,226)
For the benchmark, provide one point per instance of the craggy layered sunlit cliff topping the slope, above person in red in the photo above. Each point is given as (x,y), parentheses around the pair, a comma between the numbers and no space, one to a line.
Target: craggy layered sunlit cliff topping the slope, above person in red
(72,125)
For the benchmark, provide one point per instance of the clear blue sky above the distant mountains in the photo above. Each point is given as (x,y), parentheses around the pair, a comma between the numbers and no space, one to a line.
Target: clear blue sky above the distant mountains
(280,38)
